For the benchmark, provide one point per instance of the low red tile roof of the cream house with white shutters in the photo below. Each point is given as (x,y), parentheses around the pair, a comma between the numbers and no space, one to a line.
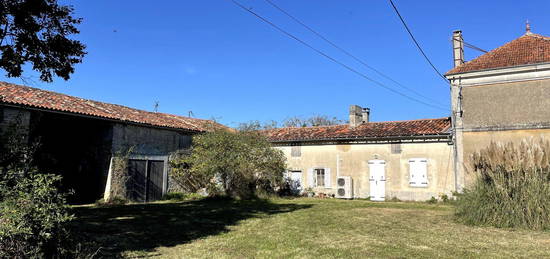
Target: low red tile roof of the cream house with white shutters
(366,130)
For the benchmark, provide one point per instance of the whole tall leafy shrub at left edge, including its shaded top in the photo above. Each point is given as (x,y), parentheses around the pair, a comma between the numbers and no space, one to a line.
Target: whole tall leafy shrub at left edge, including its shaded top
(33,213)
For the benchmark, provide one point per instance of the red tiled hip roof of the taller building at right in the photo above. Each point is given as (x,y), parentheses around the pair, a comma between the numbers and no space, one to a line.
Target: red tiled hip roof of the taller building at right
(527,49)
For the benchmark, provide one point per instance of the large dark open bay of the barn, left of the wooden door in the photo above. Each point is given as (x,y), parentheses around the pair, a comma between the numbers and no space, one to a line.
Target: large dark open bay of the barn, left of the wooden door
(77,148)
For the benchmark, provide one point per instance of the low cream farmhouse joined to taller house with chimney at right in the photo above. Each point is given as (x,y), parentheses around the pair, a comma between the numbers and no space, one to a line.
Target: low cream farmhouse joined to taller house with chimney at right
(501,96)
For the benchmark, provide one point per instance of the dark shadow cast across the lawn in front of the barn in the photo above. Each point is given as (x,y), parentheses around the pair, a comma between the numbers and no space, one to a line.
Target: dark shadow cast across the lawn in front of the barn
(143,227)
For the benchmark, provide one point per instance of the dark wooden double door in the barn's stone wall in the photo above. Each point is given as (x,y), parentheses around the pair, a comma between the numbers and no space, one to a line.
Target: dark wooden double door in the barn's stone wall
(146,178)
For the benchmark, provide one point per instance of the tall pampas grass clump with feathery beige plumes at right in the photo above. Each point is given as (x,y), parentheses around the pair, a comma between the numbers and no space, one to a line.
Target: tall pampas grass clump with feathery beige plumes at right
(512,186)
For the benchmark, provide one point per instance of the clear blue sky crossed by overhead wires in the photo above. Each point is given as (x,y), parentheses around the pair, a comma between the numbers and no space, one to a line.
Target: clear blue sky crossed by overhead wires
(218,61)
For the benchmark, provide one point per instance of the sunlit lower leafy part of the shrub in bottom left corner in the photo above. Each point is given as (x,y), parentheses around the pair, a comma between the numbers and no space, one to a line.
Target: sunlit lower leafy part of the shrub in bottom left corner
(33,215)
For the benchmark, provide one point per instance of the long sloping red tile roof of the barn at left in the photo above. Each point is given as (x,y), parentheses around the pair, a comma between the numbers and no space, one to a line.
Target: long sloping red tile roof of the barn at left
(37,98)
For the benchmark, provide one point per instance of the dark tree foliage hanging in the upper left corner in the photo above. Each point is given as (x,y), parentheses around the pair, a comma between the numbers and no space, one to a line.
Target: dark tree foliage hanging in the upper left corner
(37,31)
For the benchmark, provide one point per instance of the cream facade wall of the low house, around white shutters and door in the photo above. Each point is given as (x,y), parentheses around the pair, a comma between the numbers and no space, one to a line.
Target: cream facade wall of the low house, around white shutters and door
(352,160)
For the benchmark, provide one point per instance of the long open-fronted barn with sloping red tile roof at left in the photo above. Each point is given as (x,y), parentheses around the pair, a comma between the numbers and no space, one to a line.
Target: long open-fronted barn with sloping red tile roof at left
(80,139)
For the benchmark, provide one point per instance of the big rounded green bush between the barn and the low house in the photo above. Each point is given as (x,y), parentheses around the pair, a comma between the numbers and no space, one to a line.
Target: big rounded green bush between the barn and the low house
(236,164)
